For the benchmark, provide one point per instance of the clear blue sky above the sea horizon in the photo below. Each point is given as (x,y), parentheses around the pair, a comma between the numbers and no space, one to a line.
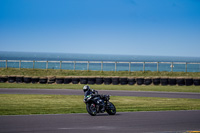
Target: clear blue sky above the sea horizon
(122,27)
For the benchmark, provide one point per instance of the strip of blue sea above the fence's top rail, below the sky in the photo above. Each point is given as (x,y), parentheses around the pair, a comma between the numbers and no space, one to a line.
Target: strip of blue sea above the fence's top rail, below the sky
(42,56)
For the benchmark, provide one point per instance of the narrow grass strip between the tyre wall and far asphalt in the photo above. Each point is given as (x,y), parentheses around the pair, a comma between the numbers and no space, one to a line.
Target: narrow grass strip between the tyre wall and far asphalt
(195,89)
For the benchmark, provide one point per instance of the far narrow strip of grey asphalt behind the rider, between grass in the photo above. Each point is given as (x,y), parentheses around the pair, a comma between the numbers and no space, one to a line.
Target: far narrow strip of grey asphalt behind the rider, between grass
(110,92)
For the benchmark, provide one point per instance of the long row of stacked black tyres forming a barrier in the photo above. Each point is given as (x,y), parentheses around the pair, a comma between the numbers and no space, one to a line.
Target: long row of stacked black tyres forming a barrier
(180,81)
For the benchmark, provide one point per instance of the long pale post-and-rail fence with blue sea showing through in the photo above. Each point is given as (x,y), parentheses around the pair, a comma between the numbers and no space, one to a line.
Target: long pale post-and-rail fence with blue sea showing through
(103,65)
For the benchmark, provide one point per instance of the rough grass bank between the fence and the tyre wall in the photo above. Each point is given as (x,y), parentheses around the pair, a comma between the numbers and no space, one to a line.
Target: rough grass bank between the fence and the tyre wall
(53,72)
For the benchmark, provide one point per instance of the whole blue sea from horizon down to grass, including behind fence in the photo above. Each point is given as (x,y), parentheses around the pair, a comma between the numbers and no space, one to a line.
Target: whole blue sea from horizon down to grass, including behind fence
(152,63)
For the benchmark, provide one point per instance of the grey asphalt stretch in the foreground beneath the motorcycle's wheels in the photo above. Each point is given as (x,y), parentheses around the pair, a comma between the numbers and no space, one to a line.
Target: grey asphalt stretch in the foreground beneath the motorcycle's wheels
(132,122)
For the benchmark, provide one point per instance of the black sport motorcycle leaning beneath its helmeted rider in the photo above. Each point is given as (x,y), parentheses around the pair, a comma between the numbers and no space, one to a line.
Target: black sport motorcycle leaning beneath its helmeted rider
(96,103)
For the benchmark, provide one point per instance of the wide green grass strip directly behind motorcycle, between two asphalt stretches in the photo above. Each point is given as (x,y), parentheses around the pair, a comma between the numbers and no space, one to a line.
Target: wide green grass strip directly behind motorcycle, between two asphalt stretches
(17,104)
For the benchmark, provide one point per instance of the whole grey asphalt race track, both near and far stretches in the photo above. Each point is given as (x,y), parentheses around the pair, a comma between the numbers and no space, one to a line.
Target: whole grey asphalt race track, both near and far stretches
(129,122)
